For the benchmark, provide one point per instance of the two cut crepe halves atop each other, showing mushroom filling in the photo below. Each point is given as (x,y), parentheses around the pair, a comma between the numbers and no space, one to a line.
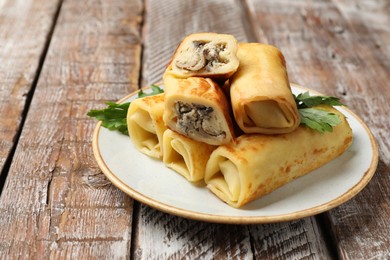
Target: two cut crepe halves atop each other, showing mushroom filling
(195,105)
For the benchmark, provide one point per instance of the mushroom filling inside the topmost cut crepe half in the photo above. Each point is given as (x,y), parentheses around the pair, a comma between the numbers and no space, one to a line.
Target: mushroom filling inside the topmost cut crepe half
(201,55)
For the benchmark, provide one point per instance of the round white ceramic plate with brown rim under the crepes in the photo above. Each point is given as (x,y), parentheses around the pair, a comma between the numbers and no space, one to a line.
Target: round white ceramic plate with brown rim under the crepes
(149,181)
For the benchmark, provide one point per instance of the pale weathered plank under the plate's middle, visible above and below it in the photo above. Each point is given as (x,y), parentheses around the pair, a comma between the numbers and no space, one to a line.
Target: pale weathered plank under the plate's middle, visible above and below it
(159,235)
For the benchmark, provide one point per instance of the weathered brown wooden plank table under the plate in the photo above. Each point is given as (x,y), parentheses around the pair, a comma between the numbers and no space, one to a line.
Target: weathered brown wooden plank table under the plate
(59,59)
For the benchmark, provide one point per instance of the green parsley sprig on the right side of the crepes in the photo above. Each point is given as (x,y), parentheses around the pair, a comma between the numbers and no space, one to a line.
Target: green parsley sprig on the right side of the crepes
(314,118)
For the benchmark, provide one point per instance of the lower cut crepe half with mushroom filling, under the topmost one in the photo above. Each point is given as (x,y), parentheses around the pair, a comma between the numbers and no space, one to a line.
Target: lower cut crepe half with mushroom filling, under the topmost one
(197,108)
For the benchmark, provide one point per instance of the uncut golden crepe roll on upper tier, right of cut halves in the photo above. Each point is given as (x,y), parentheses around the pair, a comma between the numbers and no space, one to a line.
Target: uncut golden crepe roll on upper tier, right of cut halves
(260,92)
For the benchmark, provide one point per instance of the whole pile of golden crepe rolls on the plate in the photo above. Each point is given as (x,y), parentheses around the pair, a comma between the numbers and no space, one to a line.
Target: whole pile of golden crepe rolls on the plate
(190,126)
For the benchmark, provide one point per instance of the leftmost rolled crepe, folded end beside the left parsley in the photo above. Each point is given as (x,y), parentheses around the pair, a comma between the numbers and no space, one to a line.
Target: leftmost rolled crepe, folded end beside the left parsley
(145,124)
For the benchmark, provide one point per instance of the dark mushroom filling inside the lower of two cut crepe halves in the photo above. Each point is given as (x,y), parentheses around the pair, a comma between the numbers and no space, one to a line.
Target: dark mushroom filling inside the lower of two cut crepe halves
(198,120)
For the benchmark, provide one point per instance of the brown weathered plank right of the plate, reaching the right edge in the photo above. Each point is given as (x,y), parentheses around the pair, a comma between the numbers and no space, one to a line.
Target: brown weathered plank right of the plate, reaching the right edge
(341,48)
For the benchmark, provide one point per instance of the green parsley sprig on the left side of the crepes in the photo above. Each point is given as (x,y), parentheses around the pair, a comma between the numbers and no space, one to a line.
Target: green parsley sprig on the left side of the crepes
(114,115)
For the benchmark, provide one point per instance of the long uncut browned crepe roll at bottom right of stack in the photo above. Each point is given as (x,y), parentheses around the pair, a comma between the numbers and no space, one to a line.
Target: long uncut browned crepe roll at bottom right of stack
(256,165)
